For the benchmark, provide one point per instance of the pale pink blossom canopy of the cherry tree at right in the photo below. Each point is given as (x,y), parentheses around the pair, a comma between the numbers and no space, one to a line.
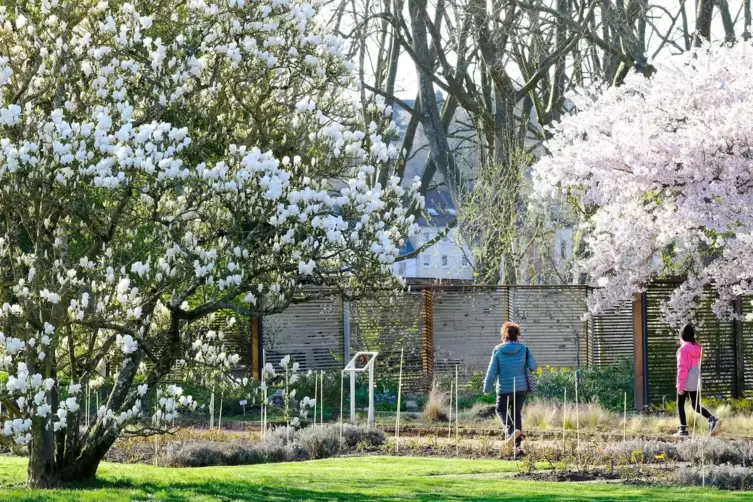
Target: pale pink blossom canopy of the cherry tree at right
(665,168)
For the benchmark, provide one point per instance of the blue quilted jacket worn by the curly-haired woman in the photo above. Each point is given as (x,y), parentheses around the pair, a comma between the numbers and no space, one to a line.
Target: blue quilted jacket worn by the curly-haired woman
(508,368)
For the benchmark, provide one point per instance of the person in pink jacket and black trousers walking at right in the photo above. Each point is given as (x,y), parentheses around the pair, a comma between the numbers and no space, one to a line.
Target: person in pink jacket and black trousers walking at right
(688,380)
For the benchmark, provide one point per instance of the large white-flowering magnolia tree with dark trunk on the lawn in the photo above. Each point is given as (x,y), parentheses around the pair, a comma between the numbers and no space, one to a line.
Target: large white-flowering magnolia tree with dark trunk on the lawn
(162,160)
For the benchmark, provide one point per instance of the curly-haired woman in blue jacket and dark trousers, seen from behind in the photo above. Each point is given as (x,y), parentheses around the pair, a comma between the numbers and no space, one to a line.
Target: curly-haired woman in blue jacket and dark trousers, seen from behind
(507,370)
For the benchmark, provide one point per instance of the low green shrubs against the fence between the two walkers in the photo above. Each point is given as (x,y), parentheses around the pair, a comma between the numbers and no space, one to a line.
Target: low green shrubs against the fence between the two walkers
(606,385)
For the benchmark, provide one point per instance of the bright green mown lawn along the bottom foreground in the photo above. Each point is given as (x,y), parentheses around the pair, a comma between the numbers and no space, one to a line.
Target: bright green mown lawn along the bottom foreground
(363,478)
